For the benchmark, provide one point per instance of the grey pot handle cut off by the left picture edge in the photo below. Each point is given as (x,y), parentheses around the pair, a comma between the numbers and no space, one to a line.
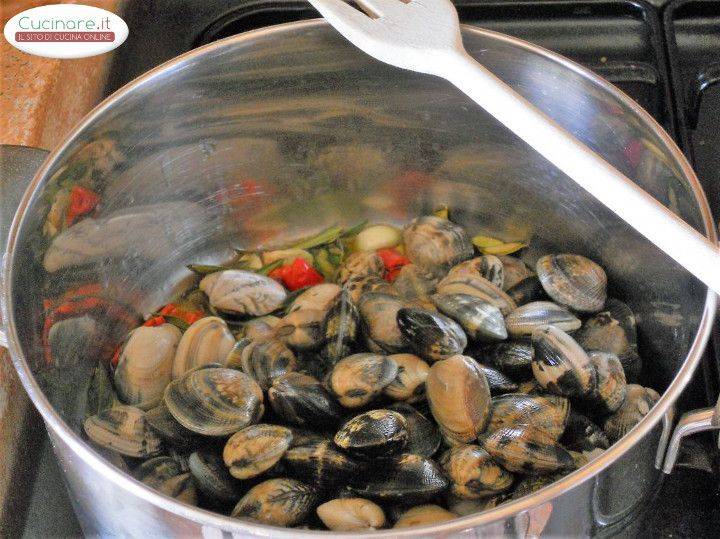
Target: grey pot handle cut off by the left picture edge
(18,165)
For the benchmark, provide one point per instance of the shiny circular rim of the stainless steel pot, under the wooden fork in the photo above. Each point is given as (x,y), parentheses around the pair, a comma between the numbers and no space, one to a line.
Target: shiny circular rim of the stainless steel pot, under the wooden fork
(211,519)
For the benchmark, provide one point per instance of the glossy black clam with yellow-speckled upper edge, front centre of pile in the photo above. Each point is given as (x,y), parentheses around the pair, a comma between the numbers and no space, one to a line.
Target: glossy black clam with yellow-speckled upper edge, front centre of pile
(376,433)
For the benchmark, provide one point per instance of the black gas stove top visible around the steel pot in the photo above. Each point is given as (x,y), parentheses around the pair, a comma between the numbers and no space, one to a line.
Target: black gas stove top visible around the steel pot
(664,54)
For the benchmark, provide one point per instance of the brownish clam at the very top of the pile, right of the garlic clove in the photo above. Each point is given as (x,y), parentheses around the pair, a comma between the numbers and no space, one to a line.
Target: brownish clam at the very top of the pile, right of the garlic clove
(432,242)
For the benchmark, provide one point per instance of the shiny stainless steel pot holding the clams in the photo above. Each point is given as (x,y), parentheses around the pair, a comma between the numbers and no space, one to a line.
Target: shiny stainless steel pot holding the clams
(287,129)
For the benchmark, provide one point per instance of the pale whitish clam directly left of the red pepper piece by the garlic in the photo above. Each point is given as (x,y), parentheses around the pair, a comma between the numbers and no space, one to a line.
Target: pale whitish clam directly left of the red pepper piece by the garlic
(243,292)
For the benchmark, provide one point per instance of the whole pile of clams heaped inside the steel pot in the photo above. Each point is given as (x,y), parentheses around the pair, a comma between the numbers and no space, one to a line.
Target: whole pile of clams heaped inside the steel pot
(470,380)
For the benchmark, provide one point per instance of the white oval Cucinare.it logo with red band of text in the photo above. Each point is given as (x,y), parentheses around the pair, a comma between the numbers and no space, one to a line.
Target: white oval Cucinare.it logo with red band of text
(66,31)
